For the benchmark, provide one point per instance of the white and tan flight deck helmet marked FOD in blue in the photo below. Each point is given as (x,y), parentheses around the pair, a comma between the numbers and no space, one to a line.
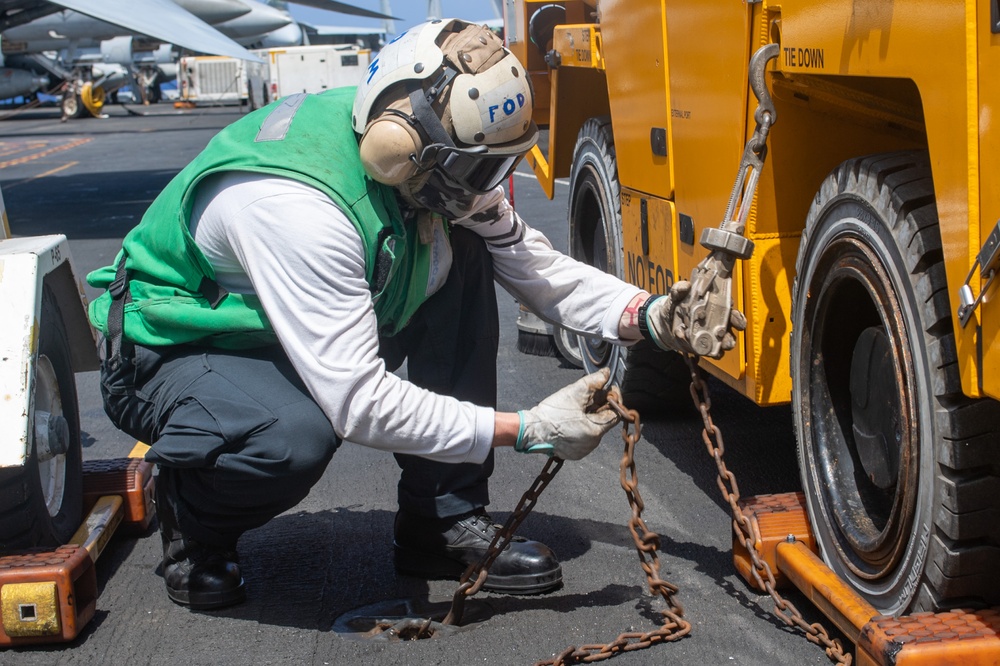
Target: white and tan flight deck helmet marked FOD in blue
(447,96)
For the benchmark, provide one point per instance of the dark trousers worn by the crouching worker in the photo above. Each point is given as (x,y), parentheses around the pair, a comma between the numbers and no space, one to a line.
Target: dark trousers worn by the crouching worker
(238,439)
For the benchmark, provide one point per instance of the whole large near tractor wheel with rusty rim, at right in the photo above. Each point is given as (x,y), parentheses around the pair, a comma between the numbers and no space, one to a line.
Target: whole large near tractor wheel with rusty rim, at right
(896,463)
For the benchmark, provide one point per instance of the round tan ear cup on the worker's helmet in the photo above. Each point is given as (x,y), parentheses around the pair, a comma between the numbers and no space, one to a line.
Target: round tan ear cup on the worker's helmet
(387,147)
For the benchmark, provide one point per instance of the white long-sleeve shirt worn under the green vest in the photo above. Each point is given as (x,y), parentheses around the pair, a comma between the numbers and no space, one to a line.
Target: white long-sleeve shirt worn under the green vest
(292,245)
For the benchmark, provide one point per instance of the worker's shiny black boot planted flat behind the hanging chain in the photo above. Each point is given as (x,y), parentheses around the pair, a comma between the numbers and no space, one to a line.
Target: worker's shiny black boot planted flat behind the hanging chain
(445,547)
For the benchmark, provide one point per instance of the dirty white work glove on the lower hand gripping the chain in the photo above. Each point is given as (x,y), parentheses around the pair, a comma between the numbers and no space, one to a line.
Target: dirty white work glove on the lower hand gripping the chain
(569,423)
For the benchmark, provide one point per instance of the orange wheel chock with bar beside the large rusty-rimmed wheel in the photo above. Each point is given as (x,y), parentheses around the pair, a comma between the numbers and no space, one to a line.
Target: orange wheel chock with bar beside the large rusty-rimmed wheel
(783,540)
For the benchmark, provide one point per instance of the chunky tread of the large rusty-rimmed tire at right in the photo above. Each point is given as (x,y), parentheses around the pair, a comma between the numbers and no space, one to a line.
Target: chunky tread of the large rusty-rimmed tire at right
(964,548)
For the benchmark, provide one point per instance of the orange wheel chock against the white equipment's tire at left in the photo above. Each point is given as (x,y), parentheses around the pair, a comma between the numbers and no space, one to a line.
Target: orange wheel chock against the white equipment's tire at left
(49,595)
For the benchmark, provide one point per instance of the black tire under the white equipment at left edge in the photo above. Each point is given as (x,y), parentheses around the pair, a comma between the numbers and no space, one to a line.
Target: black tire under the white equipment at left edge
(41,502)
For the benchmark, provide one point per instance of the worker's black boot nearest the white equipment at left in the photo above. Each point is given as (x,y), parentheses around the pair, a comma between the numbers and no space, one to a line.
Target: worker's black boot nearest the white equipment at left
(199,576)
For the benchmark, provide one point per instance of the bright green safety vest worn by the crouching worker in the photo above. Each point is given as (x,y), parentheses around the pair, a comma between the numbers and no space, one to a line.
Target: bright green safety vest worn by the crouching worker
(305,137)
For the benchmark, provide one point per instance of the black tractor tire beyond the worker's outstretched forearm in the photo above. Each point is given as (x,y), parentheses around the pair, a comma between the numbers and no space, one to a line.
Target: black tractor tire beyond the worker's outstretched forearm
(595,223)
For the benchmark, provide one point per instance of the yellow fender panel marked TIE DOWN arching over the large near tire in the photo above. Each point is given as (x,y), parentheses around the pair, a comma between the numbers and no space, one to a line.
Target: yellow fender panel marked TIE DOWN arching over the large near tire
(894,40)
